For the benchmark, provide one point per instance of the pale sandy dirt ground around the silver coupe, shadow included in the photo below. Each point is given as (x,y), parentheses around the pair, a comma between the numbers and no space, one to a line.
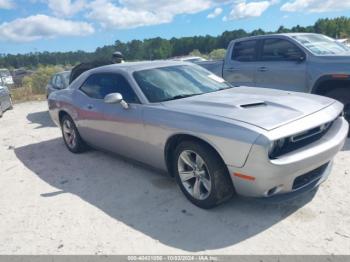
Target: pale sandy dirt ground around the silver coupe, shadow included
(54,202)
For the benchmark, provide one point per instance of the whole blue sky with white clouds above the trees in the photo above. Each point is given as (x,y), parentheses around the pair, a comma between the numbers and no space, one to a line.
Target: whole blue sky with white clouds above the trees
(69,25)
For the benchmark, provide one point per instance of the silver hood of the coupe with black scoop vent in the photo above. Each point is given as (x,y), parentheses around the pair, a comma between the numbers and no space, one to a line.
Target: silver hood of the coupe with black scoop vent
(264,108)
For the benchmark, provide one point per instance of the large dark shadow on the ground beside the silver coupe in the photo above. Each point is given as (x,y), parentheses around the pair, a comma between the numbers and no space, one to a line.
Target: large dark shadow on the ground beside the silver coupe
(149,201)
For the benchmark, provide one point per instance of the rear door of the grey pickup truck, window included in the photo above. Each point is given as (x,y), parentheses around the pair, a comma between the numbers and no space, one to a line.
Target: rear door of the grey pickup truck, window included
(240,68)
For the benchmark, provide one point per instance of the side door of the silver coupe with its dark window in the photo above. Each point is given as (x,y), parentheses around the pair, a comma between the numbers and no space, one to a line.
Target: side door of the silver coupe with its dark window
(110,126)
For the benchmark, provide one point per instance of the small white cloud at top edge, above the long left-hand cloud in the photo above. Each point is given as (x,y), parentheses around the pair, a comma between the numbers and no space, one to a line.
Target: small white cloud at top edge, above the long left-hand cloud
(66,7)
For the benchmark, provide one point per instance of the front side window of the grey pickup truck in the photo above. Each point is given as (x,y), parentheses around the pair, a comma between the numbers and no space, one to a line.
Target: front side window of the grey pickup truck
(279,50)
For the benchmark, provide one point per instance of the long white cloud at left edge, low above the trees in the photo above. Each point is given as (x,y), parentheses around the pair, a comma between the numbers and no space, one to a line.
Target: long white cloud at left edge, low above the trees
(42,26)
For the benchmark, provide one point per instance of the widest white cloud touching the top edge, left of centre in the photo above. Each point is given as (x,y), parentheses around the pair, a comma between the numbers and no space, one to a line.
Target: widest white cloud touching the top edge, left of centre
(136,13)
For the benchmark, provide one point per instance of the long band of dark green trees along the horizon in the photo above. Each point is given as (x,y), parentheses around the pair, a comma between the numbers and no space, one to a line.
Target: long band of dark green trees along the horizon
(159,48)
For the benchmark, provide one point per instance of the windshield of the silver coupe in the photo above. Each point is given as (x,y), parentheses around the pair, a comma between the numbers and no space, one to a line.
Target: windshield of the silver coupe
(175,82)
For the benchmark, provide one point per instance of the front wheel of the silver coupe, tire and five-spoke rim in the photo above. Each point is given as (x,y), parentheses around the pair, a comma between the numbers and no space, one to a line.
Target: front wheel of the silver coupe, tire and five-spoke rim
(208,167)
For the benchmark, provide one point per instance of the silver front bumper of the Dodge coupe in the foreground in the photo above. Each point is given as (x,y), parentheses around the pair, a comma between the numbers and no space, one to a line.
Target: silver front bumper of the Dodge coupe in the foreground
(293,172)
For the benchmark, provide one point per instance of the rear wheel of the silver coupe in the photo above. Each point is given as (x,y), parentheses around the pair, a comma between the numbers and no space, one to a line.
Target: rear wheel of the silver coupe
(71,136)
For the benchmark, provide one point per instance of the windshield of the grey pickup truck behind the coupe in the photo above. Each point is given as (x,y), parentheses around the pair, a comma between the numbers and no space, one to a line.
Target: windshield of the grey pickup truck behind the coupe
(321,45)
